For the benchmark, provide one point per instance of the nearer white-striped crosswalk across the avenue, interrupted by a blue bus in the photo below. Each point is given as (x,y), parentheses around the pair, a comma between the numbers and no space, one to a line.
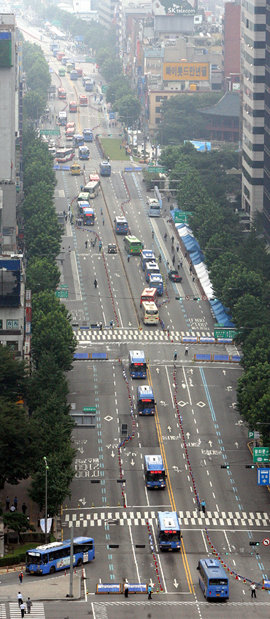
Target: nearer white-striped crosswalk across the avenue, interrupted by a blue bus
(189,518)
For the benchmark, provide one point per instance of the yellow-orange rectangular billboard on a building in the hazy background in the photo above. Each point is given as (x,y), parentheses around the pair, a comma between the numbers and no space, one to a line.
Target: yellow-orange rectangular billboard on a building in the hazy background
(185,71)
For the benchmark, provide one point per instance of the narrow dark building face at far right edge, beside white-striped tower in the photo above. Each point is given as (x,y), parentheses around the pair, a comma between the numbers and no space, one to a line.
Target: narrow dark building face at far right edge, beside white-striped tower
(266,196)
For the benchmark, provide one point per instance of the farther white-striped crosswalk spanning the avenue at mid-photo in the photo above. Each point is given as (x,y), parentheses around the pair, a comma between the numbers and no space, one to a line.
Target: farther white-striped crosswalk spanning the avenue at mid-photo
(135,335)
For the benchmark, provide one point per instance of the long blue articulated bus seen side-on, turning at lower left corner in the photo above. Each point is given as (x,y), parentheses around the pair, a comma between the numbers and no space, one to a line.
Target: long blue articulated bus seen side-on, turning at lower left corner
(50,558)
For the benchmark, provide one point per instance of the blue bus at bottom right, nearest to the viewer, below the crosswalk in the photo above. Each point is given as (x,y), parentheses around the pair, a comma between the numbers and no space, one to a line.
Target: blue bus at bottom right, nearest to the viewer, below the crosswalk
(213,579)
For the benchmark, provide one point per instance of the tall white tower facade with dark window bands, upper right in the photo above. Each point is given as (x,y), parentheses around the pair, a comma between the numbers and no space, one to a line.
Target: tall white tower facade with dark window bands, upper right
(253,87)
